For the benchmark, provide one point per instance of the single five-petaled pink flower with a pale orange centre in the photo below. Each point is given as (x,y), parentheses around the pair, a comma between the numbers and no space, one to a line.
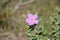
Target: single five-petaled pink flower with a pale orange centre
(32,19)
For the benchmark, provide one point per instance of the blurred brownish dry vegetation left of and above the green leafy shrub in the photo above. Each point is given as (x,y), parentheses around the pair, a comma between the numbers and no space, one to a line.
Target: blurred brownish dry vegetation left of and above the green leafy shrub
(10,17)
